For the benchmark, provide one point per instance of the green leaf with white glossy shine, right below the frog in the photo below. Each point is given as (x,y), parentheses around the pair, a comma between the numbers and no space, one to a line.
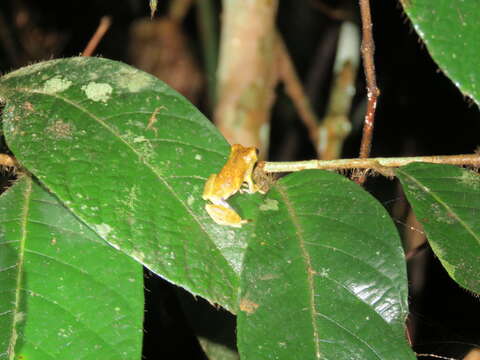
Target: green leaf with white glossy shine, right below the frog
(324,277)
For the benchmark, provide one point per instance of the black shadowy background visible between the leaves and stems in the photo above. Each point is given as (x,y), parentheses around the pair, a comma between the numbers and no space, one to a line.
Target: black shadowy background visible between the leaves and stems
(420,112)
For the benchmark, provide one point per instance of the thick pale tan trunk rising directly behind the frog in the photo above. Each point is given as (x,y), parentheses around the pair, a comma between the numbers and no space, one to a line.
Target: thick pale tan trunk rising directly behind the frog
(247,73)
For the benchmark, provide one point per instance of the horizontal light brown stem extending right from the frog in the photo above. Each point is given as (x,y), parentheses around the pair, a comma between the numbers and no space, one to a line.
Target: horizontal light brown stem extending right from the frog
(372,163)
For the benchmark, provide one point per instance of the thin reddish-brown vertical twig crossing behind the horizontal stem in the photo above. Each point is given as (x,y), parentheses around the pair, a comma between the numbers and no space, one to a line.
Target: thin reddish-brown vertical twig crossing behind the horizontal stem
(367,50)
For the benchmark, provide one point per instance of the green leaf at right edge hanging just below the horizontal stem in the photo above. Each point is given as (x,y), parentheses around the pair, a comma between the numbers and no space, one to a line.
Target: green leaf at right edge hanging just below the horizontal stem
(446,201)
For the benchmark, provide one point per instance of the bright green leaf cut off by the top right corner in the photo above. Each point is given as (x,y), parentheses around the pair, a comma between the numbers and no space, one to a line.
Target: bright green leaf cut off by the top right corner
(450,31)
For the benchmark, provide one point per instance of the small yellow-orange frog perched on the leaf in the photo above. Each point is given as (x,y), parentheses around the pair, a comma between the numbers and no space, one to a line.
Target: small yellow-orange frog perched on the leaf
(219,187)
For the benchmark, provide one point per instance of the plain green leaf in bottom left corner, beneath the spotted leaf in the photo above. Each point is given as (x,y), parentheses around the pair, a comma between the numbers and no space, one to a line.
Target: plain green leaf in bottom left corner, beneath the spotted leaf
(65,293)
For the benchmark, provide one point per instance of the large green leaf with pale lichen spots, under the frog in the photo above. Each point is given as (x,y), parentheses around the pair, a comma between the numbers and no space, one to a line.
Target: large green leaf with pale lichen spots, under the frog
(129,156)
